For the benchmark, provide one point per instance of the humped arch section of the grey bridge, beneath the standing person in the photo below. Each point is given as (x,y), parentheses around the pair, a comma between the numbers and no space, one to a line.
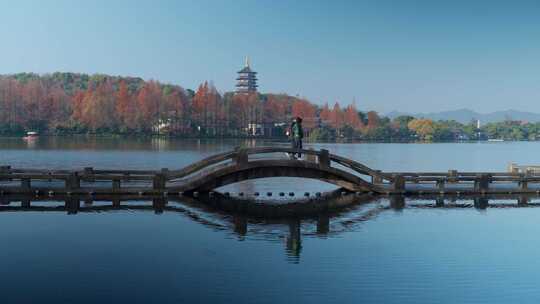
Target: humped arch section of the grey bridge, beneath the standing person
(248,164)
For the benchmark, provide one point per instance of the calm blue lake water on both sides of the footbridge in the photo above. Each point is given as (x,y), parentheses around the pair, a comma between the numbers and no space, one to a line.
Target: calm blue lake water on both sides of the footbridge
(374,252)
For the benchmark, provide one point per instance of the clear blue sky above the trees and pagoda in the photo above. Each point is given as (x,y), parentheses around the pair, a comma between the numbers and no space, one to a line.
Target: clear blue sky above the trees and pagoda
(389,55)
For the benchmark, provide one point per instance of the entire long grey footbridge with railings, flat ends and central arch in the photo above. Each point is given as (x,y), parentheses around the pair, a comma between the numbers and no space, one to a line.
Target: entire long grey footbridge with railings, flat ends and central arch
(243,164)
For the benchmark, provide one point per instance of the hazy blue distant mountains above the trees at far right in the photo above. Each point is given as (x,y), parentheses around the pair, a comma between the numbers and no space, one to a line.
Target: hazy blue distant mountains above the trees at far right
(466,116)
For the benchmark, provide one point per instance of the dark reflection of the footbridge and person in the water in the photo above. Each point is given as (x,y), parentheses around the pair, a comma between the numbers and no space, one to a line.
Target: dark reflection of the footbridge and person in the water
(290,229)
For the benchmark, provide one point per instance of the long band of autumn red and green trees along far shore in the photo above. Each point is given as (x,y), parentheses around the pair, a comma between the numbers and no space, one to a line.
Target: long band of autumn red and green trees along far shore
(73,103)
